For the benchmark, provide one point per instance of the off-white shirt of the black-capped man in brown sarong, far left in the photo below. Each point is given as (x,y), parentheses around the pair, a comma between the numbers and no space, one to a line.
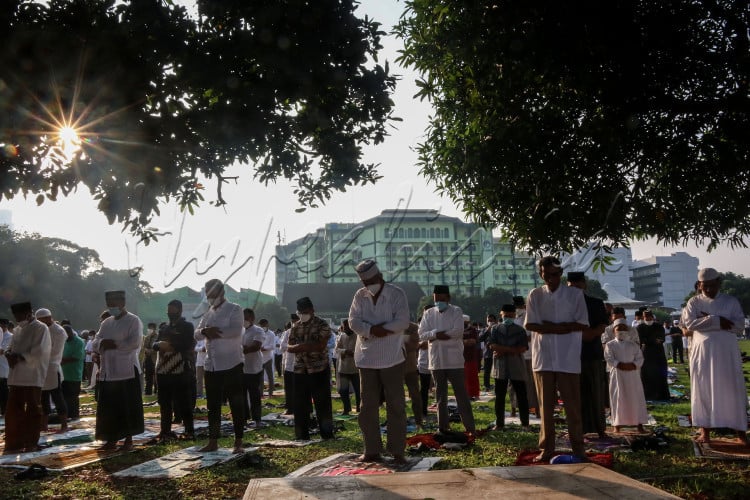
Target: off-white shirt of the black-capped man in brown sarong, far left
(34,344)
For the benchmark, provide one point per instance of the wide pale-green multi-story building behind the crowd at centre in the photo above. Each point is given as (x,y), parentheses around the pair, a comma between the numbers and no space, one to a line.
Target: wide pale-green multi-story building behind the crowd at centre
(410,245)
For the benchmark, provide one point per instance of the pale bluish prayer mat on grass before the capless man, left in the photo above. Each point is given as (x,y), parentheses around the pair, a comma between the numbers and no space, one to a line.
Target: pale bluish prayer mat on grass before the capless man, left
(181,463)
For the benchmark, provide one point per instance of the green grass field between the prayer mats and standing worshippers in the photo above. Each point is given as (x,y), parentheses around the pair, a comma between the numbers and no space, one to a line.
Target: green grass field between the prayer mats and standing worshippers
(674,469)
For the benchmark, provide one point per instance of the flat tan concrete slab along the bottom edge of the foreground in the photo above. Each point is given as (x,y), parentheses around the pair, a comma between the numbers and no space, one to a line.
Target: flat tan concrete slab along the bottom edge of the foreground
(551,482)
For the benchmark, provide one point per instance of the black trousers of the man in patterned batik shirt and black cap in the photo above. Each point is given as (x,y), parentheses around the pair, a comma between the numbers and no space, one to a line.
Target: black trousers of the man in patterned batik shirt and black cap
(318,387)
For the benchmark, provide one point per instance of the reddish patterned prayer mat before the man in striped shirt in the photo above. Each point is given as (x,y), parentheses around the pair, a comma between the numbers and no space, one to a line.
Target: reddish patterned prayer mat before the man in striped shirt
(346,464)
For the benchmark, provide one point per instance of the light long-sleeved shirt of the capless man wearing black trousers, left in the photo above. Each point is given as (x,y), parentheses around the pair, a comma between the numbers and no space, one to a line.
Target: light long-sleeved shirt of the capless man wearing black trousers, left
(224,352)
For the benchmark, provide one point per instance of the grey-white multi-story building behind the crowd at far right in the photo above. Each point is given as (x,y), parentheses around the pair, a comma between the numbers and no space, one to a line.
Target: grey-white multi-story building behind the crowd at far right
(664,280)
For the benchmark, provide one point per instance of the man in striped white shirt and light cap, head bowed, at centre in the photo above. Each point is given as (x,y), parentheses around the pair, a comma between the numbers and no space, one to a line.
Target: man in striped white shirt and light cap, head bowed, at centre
(379,314)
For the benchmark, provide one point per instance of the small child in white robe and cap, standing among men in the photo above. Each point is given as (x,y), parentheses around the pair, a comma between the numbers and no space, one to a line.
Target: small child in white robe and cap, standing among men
(624,360)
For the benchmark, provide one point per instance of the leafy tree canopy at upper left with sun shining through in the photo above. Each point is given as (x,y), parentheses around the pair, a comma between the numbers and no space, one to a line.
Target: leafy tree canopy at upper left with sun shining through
(161,98)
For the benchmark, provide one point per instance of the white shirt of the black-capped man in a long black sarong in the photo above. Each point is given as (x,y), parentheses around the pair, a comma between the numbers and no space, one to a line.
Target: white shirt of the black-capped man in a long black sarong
(122,362)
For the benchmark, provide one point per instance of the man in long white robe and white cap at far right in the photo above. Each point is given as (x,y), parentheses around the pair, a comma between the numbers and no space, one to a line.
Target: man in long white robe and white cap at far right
(718,396)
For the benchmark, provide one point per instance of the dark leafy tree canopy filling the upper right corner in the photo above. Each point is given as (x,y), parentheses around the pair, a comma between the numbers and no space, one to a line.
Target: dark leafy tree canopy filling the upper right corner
(607,121)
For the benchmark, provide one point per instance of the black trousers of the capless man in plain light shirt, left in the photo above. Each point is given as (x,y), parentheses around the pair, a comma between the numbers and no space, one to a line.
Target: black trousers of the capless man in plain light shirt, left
(220,384)
